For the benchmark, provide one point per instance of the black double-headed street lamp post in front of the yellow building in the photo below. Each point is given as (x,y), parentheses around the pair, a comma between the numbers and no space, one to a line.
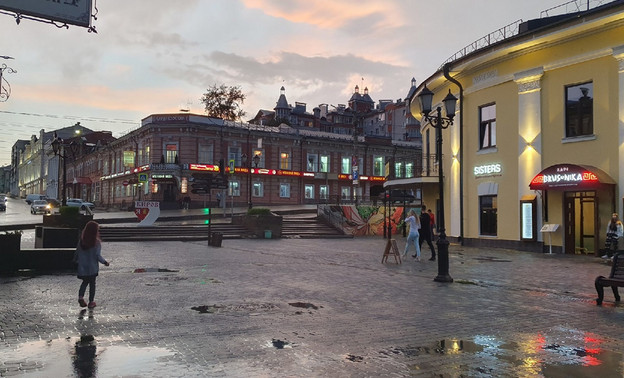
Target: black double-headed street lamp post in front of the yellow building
(438,122)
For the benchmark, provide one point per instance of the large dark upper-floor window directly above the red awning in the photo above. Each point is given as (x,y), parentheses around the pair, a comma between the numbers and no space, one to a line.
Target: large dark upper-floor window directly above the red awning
(579,110)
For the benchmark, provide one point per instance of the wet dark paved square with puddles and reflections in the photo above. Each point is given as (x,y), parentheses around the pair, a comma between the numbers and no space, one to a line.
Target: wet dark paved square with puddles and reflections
(313,307)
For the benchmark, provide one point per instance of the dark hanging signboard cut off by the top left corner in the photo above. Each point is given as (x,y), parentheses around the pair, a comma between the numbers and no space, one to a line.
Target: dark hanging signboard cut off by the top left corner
(72,12)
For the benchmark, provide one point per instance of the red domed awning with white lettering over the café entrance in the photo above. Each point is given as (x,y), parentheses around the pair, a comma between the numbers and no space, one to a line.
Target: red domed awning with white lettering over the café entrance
(570,177)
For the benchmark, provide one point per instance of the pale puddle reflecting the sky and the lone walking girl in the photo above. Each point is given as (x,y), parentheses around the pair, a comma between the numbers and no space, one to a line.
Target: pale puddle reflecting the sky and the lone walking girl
(86,356)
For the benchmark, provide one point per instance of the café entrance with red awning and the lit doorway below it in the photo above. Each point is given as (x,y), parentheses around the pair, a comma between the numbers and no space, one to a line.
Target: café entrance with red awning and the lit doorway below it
(578,201)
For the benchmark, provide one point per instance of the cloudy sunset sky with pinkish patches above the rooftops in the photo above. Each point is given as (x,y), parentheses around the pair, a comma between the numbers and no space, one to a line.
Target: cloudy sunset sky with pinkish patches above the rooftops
(162,55)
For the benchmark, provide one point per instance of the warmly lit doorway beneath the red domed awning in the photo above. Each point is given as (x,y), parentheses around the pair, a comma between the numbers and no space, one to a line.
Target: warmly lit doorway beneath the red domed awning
(581,209)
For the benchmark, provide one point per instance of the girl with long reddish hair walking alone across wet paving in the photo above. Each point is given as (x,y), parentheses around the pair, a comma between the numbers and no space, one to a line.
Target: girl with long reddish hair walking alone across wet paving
(88,255)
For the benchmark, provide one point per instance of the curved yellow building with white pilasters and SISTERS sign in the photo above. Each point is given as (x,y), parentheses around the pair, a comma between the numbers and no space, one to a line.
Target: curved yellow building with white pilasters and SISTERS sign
(537,142)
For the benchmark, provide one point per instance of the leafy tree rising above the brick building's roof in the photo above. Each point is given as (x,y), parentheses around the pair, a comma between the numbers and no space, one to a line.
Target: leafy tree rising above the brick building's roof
(224,102)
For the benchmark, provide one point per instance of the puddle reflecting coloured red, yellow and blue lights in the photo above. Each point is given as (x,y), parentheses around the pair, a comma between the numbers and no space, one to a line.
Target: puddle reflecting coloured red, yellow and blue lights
(558,352)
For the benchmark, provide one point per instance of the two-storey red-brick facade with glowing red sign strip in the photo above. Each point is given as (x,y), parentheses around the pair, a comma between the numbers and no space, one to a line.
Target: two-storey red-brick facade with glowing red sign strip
(272,165)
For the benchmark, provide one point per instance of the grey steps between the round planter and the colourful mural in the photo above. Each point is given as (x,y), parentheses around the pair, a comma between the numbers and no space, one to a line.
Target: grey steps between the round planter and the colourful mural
(306,225)
